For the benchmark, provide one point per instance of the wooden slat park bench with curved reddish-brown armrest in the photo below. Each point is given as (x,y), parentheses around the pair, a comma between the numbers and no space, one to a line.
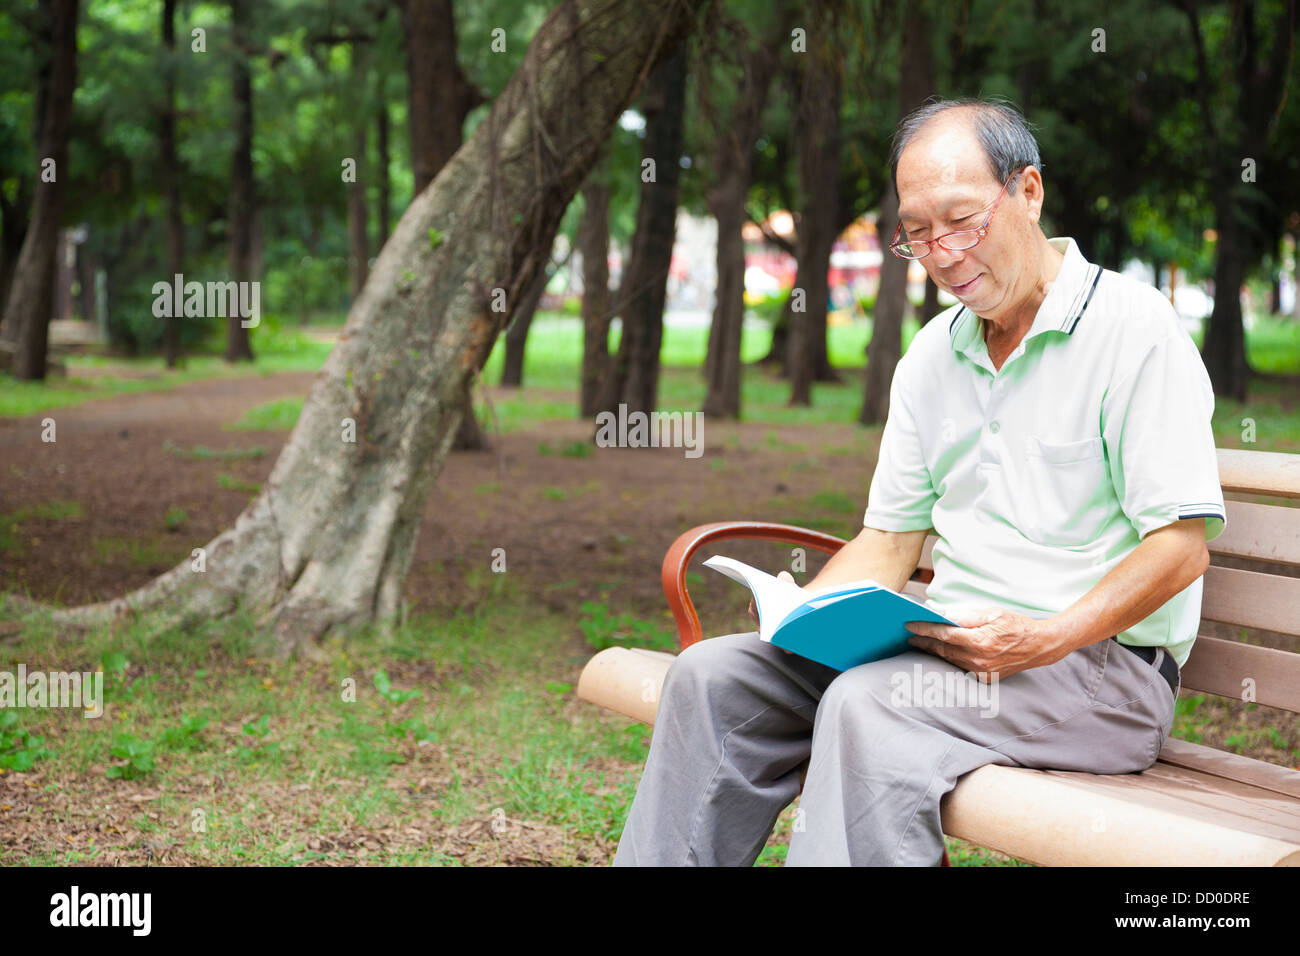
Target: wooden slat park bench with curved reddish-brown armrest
(1197,806)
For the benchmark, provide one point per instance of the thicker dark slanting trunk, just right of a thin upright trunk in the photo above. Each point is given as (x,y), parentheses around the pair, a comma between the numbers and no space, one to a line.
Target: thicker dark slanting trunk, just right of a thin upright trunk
(635,375)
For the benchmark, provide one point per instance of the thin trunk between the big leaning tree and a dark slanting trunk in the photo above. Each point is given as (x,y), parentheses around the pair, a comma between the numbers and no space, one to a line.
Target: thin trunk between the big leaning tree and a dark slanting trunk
(593,245)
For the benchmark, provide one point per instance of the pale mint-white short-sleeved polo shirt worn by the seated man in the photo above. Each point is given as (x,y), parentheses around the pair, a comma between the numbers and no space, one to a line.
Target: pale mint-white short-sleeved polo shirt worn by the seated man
(1043,475)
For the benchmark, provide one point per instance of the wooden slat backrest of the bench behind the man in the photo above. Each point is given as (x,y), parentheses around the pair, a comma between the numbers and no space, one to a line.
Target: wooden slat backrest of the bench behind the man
(1241,598)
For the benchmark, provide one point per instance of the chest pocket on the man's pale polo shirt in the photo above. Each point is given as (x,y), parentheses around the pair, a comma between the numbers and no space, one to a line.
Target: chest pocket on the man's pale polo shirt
(1065,499)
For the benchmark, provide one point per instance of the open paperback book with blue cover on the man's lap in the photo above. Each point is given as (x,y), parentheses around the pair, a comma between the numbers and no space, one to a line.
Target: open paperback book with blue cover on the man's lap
(840,626)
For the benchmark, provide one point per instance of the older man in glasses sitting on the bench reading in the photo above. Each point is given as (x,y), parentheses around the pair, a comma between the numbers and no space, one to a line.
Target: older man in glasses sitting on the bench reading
(1054,430)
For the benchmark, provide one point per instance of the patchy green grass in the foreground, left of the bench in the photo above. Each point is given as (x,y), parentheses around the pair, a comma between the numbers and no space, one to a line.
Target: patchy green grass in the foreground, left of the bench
(448,721)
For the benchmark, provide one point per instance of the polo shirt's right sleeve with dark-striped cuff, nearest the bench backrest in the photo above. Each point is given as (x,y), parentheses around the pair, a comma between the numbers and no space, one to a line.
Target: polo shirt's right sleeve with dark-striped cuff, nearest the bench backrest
(1156,425)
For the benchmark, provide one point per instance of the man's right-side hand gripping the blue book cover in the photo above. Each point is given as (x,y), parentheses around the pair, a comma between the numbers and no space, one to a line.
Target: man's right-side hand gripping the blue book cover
(991,642)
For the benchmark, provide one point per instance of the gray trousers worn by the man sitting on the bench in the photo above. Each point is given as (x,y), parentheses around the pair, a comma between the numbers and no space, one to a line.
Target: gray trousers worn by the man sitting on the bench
(887,739)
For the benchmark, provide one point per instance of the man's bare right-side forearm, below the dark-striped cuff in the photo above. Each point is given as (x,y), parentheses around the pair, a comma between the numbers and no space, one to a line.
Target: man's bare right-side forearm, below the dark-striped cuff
(1165,563)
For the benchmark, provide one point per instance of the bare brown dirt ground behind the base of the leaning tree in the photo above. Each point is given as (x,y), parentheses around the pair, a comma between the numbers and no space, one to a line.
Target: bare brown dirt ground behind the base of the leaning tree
(573,527)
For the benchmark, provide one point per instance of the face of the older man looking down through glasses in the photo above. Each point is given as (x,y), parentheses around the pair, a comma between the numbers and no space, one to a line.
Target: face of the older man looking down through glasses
(944,185)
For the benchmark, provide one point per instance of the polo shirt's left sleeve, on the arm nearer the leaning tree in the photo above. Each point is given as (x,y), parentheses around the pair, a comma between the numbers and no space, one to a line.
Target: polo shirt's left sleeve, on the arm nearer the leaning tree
(902,495)
